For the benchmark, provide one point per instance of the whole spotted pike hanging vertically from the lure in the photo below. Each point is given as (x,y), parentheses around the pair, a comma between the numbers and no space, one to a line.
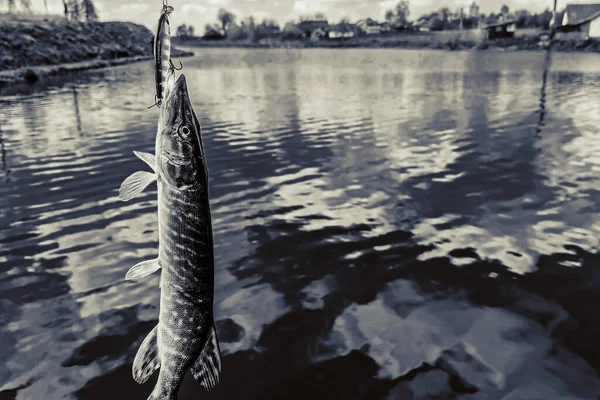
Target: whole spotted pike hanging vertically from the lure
(185,337)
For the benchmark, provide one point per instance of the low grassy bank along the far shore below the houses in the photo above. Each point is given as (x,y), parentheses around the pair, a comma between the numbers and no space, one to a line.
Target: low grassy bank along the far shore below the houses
(449,40)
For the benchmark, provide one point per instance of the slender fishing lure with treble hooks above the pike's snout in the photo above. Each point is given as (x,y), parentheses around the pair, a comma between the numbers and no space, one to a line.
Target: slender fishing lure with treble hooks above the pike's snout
(163,65)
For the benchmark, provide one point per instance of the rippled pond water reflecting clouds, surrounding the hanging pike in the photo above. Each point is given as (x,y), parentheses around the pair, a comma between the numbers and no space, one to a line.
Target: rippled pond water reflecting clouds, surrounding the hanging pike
(388,224)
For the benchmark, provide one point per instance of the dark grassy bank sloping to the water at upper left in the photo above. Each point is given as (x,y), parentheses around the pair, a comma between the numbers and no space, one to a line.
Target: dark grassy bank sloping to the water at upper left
(34,47)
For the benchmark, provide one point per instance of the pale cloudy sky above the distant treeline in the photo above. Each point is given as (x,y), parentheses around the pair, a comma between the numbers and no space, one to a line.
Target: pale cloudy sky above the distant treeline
(200,12)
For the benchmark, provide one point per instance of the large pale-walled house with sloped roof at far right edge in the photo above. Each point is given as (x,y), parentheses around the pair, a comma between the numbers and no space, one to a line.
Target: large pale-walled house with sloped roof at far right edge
(581,18)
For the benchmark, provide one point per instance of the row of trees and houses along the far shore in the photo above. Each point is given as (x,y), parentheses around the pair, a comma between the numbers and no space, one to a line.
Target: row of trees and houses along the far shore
(397,19)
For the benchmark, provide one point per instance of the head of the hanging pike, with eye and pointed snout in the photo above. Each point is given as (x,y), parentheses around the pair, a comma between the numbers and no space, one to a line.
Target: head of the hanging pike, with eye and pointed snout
(180,155)
